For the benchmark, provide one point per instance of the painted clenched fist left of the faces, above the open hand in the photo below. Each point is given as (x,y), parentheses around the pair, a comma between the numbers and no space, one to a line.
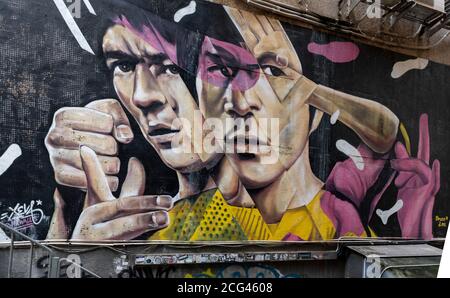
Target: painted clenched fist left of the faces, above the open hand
(100,126)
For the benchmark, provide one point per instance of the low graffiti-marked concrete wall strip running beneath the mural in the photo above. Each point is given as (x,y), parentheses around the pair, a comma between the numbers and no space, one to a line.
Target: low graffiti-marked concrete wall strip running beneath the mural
(292,260)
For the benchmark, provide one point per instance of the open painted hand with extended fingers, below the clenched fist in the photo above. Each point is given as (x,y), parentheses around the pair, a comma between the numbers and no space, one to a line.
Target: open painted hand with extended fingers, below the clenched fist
(123,218)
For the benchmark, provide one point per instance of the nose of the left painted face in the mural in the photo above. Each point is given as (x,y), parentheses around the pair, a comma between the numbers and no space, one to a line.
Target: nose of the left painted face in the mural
(147,94)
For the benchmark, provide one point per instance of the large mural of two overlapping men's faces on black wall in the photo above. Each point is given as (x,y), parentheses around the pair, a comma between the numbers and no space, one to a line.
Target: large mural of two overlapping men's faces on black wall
(191,121)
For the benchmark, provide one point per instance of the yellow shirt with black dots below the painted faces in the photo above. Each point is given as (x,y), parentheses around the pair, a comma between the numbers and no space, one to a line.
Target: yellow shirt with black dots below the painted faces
(208,217)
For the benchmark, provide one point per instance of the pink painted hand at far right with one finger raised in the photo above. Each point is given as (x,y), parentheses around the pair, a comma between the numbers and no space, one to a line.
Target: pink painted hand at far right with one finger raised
(417,185)
